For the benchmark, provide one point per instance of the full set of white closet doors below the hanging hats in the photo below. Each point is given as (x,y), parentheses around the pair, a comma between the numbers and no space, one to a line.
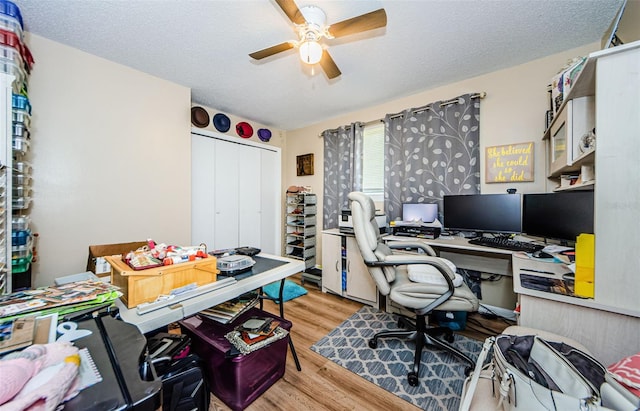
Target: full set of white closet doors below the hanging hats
(234,193)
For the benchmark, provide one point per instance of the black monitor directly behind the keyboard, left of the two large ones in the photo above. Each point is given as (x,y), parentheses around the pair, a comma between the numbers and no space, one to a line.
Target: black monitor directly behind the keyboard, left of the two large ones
(492,213)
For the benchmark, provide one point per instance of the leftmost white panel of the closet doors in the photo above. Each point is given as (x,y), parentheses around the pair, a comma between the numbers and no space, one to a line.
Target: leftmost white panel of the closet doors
(202,190)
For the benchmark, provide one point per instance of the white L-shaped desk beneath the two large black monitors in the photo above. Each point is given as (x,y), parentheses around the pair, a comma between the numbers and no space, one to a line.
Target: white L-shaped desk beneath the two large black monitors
(609,332)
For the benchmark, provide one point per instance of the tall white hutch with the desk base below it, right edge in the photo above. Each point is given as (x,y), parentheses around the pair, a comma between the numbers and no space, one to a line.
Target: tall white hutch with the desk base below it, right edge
(612,76)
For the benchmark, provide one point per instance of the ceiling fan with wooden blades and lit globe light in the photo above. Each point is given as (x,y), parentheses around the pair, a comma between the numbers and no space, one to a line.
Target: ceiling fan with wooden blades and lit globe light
(310,25)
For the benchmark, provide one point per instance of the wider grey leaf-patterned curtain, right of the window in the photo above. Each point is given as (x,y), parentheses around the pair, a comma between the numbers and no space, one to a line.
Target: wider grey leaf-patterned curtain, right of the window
(431,152)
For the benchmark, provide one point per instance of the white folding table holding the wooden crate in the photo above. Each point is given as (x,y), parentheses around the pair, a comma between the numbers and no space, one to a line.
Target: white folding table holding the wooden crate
(166,315)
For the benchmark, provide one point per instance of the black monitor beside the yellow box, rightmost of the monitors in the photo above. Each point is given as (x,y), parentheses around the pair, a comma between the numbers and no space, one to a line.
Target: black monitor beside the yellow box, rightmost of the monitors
(559,216)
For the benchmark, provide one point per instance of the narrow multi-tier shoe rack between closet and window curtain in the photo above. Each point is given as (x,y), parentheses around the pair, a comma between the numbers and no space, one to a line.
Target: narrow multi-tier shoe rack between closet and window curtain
(300,228)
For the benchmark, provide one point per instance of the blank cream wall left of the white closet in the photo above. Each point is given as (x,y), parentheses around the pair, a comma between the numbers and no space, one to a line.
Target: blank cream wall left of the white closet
(111,153)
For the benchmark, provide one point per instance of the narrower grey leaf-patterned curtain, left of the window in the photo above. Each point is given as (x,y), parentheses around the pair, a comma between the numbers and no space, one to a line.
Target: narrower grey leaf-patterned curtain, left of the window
(342,170)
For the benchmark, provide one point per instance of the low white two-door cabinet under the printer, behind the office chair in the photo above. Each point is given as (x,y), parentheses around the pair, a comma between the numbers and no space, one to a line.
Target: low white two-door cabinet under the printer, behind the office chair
(343,269)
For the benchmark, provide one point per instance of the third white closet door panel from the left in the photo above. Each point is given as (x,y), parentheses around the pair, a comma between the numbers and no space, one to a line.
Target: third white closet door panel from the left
(250,204)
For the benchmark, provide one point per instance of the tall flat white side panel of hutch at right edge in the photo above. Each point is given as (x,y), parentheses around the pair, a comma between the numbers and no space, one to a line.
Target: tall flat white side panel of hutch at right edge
(617,195)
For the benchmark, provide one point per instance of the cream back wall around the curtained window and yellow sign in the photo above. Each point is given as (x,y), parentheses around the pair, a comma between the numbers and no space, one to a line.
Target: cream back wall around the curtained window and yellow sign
(512,112)
